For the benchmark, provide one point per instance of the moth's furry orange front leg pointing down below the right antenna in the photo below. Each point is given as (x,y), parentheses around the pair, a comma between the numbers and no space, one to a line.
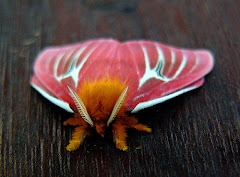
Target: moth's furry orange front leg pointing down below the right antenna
(119,136)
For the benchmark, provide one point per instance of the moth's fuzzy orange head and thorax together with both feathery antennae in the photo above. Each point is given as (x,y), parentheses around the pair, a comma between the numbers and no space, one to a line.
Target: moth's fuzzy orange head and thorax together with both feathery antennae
(100,103)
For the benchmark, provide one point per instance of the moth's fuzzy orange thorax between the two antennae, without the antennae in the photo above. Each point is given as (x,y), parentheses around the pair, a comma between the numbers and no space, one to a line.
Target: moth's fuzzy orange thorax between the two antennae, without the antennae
(100,96)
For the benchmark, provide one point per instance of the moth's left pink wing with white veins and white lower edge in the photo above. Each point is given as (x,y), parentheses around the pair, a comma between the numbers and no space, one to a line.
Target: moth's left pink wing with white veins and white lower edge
(58,67)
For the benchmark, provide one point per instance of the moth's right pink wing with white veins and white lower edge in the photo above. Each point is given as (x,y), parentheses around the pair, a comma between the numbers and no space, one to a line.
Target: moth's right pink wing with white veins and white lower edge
(159,72)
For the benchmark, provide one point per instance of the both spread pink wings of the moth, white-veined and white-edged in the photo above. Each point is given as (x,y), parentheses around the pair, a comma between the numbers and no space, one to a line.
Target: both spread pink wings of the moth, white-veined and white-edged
(154,72)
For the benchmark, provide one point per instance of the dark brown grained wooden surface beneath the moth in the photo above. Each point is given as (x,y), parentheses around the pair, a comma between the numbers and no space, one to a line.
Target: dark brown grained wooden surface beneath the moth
(196,134)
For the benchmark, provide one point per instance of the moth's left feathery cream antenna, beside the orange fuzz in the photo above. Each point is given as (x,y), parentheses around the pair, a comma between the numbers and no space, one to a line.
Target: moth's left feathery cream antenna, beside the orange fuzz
(80,106)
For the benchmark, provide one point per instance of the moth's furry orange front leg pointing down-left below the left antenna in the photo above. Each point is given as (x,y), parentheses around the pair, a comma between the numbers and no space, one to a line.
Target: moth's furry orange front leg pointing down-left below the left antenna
(77,137)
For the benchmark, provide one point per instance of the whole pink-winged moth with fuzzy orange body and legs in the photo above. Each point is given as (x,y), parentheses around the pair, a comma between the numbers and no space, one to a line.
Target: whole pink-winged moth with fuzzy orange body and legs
(99,80)
